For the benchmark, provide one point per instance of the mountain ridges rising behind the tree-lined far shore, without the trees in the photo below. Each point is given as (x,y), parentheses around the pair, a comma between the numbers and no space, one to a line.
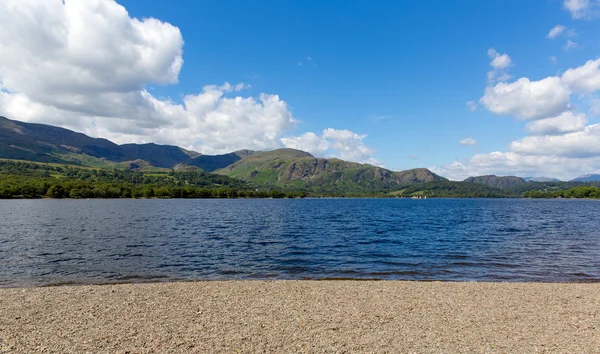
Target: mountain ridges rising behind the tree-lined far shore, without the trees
(281,168)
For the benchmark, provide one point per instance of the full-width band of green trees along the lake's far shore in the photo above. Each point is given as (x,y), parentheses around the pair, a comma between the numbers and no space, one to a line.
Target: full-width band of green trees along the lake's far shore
(32,180)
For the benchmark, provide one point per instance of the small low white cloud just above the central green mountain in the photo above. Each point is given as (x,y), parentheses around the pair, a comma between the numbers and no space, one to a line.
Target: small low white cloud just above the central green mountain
(343,144)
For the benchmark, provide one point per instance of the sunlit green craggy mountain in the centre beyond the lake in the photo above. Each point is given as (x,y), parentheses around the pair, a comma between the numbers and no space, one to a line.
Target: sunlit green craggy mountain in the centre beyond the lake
(289,168)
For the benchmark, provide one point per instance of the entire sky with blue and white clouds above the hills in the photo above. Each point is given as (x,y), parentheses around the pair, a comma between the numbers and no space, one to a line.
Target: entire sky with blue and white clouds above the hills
(463,87)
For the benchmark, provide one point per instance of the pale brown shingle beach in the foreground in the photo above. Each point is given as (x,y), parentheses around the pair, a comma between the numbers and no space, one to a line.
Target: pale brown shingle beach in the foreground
(303,316)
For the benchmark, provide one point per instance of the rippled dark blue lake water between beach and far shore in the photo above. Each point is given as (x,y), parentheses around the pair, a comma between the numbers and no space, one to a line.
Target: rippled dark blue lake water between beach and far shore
(44,242)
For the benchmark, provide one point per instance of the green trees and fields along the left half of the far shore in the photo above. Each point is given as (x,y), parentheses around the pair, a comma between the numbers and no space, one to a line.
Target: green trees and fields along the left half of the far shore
(35,180)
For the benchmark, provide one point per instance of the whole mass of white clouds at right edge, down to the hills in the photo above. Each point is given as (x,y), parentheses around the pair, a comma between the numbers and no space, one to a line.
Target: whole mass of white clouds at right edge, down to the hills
(560,144)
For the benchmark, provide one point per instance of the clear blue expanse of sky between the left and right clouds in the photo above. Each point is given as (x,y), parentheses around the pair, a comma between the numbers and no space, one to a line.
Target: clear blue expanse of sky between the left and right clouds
(412,63)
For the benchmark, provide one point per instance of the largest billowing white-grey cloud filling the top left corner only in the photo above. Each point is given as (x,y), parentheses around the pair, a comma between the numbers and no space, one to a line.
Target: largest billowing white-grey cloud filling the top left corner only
(65,55)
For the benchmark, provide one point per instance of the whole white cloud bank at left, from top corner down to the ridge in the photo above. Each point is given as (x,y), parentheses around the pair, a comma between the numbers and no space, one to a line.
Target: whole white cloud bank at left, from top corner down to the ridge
(86,65)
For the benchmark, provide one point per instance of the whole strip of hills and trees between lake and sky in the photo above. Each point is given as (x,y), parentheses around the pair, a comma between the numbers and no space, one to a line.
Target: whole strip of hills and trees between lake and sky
(47,161)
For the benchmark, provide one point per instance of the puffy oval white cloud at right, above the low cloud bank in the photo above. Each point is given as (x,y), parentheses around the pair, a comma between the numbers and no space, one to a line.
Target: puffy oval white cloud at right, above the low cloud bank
(526,99)
